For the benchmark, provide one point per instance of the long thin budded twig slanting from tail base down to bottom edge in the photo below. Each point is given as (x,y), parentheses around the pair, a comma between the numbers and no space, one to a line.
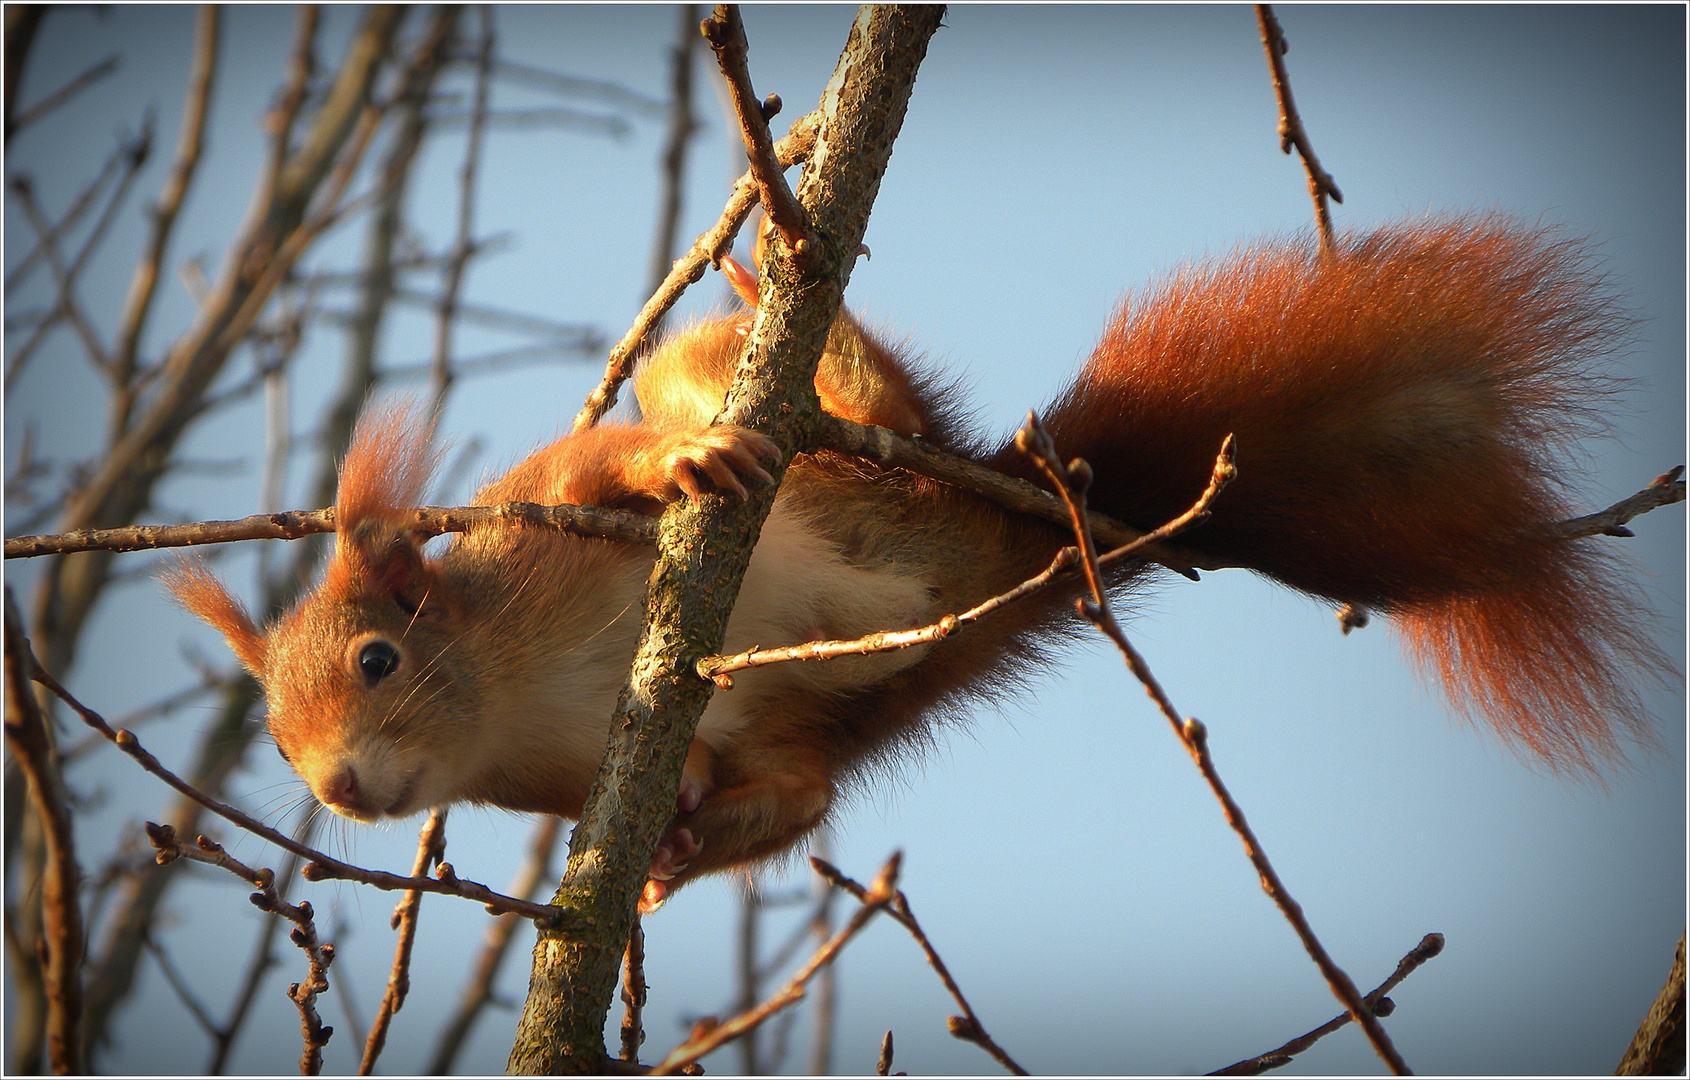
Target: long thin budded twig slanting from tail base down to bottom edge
(1071,484)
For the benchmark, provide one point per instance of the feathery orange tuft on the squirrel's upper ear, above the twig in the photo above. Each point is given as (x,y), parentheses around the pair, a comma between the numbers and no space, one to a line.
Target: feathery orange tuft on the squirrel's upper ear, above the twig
(388,466)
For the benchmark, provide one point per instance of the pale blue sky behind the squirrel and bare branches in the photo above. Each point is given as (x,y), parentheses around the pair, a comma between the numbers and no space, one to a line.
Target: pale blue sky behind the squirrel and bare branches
(1064,854)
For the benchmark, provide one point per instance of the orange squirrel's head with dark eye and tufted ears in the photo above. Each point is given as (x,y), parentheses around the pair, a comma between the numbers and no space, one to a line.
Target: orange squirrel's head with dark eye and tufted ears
(363,679)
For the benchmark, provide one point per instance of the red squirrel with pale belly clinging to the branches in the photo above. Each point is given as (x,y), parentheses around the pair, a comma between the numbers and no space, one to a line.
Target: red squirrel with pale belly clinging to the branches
(1400,413)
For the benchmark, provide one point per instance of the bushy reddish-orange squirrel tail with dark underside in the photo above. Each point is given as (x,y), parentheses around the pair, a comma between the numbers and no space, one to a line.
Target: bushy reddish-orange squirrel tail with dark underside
(1402,418)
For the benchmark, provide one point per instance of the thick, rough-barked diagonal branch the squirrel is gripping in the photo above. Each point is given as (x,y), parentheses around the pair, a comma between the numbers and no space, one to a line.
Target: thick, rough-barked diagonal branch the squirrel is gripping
(706,547)
